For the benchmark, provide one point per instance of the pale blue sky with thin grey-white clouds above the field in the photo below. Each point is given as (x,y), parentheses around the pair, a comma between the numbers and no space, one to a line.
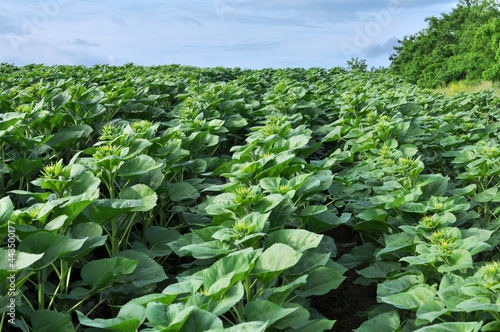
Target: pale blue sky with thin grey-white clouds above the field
(207,33)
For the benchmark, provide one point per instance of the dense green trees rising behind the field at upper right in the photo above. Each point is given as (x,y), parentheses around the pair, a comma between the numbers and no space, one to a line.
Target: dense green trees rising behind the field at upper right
(461,45)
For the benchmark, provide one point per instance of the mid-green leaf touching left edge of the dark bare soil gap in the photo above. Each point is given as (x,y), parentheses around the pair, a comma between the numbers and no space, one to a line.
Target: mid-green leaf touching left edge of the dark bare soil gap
(321,280)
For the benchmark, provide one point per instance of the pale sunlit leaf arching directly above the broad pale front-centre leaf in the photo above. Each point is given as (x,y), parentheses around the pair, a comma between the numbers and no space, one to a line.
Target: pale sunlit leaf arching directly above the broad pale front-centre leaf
(299,239)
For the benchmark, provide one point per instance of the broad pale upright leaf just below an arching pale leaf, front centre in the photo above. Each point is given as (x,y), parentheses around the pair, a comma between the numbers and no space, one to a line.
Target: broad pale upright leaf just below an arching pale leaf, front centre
(274,260)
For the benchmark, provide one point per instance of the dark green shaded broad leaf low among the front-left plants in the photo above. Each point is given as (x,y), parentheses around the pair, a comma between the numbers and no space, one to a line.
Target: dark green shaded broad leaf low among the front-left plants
(102,273)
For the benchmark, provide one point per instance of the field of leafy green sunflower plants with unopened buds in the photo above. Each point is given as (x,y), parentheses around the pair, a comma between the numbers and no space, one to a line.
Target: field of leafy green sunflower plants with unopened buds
(184,199)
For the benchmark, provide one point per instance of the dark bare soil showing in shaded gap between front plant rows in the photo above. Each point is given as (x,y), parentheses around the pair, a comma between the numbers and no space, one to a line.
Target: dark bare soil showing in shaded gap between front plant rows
(349,303)
